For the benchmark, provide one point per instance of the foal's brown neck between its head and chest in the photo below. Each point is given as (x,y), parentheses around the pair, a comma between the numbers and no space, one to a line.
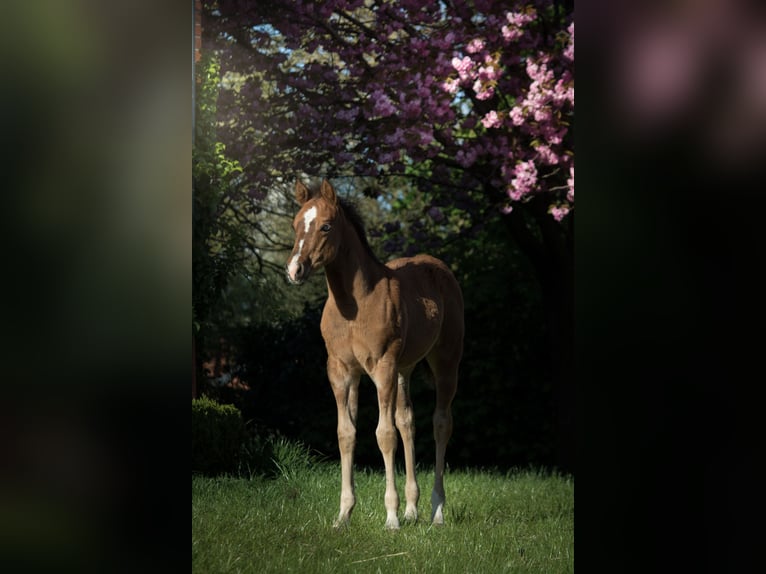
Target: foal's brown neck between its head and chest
(353,274)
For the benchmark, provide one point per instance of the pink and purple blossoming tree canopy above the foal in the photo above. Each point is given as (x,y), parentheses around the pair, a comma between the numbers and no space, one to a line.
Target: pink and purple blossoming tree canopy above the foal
(482,91)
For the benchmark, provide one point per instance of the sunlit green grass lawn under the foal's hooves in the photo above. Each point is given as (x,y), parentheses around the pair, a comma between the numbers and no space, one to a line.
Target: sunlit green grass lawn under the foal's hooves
(516,522)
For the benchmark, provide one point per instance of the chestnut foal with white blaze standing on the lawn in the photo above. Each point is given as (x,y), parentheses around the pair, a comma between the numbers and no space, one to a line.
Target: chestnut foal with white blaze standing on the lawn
(382,320)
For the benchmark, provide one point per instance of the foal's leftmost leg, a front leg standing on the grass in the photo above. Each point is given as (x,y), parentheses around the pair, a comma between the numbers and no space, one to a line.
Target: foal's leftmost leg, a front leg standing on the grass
(345,386)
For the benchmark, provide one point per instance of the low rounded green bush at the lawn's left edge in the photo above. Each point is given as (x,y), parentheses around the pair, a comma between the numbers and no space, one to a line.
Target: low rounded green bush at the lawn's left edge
(218,433)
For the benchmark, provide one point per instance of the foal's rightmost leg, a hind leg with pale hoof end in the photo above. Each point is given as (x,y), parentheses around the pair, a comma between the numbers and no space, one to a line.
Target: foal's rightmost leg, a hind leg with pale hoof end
(445,375)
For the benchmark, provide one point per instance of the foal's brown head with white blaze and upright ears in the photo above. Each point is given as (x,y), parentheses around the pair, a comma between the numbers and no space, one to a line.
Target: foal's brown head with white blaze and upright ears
(317,237)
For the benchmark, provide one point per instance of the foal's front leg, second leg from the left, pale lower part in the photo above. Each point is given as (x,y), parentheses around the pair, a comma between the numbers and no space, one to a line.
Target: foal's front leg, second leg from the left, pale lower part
(385,378)
